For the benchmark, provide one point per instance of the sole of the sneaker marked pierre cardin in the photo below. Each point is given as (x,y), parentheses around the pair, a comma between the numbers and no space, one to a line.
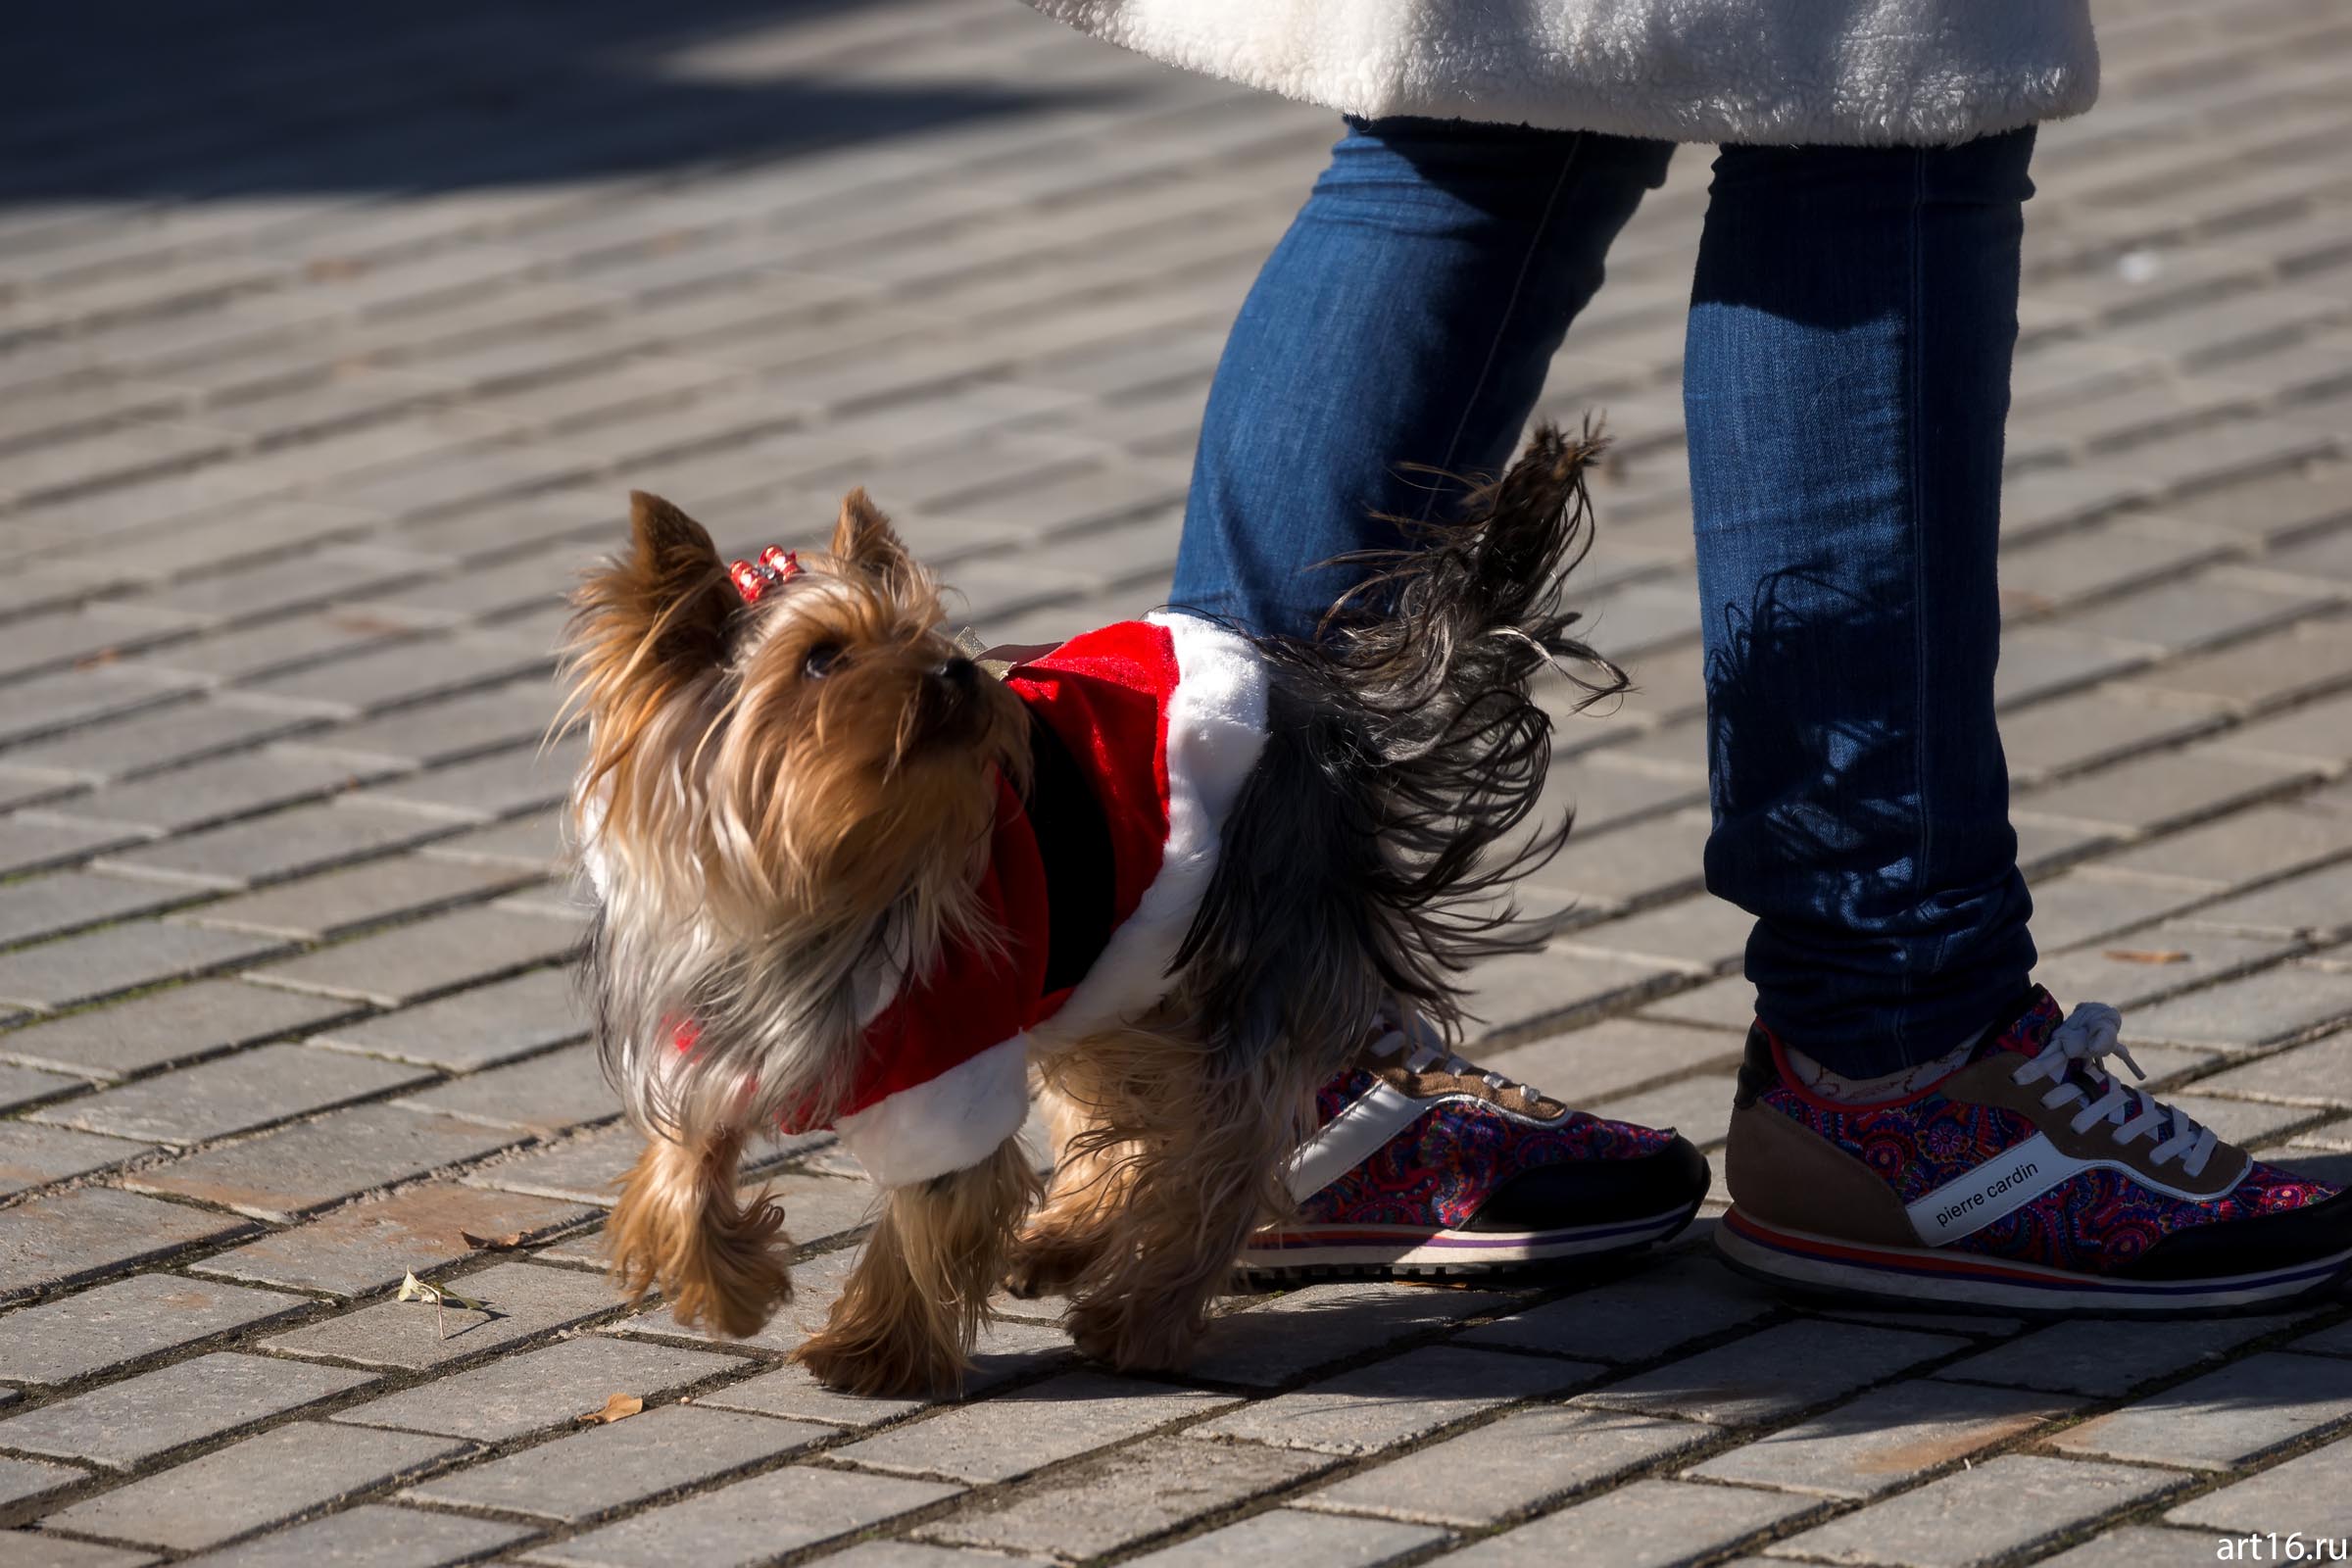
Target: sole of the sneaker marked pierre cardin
(1960,1282)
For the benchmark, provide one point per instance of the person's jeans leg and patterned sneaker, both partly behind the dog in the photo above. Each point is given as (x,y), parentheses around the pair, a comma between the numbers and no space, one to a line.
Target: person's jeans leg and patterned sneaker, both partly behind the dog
(1410,319)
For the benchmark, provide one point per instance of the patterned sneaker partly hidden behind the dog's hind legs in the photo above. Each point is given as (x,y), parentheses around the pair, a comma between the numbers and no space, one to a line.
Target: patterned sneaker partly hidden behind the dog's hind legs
(1424,1165)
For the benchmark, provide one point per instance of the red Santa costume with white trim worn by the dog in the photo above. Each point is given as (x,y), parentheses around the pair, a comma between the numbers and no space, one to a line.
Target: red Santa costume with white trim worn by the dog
(1142,737)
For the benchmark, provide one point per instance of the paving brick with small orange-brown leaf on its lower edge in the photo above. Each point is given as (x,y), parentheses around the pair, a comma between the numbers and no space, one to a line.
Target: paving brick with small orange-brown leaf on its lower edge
(540,1388)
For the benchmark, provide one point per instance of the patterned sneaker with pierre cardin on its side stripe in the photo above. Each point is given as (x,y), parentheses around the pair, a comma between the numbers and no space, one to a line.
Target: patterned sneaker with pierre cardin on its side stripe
(2024,1181)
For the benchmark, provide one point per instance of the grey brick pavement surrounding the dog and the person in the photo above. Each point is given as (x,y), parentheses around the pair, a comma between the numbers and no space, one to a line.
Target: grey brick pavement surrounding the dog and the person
(330,342)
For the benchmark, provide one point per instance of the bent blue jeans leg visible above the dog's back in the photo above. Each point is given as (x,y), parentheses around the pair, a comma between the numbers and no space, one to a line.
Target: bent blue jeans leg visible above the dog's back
(1408,319)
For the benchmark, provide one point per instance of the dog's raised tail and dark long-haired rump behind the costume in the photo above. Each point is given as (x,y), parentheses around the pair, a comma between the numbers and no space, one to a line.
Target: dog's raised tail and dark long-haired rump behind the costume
(1412,765)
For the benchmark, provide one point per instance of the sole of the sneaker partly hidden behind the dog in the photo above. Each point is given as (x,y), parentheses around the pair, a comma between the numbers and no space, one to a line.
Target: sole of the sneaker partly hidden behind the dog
(1410,1252)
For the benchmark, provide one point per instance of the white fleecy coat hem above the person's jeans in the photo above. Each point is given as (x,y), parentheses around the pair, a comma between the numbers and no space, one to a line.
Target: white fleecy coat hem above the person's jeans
(1772,72)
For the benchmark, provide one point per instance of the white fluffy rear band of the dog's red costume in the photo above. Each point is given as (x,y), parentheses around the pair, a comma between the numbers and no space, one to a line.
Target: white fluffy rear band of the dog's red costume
(1217,730)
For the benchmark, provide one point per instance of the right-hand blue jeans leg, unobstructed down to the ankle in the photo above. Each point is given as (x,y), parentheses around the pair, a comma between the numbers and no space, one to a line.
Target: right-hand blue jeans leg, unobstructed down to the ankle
(1847,380)
